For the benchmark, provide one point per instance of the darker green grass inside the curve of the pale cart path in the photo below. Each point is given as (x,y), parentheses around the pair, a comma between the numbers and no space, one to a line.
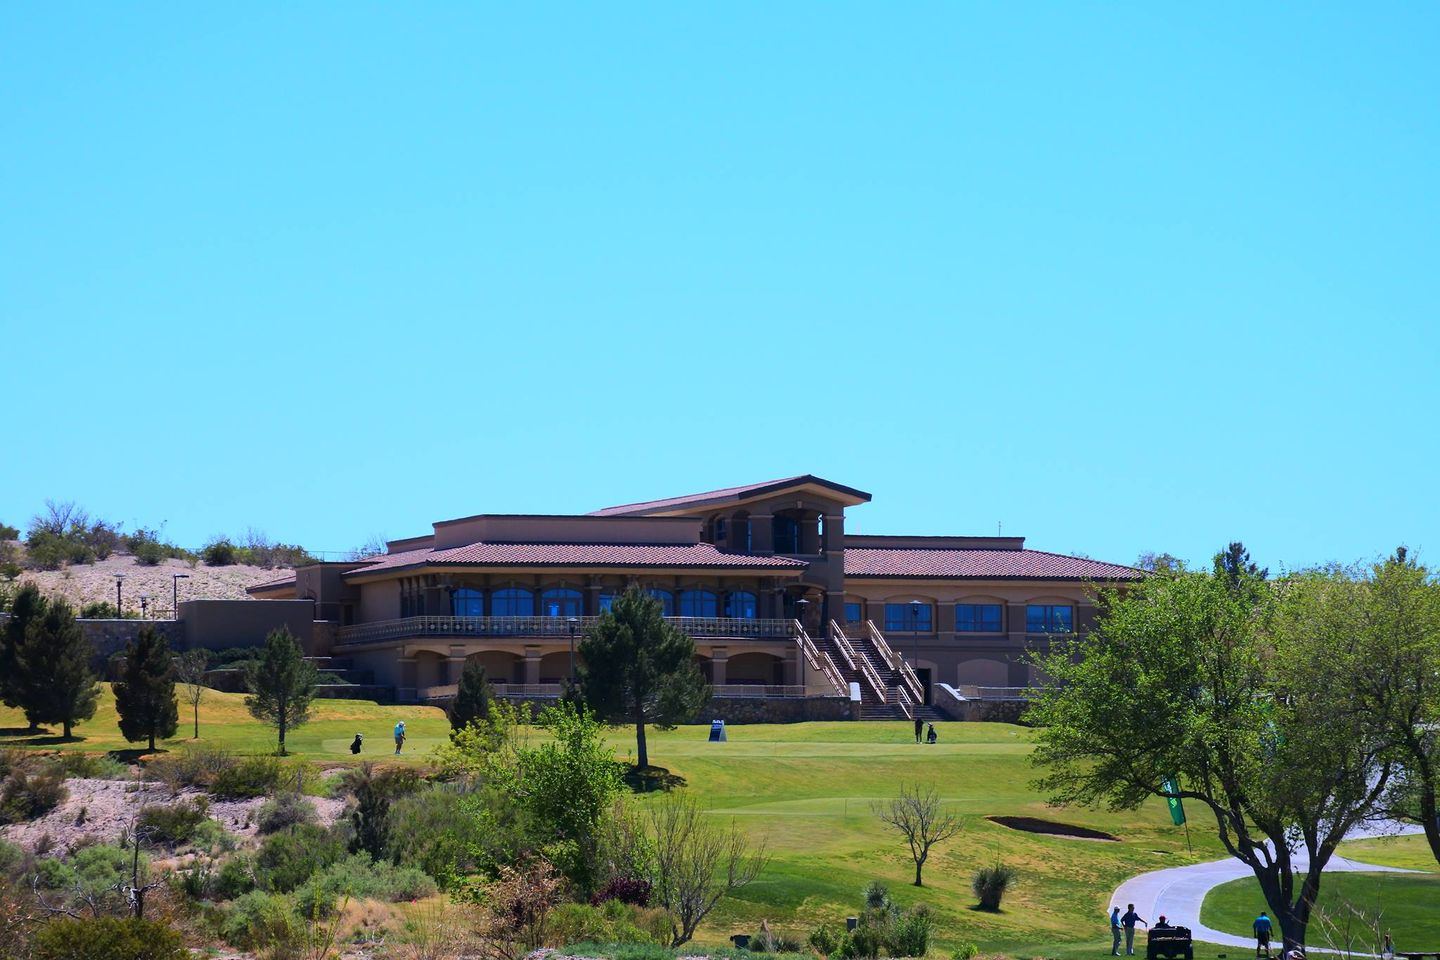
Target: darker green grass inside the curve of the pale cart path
(1406,906)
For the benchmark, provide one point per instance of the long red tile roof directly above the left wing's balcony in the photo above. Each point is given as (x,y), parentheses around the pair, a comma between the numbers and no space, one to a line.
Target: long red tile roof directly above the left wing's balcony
(536,555)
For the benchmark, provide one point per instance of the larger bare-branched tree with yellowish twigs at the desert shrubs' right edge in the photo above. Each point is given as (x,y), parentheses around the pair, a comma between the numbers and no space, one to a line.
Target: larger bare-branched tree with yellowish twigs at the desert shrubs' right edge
(696,864)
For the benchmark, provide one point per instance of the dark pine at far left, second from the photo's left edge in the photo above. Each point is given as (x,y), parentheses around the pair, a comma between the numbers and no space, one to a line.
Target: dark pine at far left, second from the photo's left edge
(58,686)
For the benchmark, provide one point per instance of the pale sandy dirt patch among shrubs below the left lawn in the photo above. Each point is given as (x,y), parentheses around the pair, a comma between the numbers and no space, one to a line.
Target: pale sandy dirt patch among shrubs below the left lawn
(102,810)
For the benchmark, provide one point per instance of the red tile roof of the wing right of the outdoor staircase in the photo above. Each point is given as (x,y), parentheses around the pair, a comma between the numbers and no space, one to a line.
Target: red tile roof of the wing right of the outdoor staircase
(986,565)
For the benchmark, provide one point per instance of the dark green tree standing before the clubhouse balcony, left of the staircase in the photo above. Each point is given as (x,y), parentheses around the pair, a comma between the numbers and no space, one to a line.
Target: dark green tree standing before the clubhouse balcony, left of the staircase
(639,669)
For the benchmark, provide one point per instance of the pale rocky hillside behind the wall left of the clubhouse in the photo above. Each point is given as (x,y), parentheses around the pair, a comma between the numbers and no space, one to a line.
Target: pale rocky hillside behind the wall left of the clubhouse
(96,582)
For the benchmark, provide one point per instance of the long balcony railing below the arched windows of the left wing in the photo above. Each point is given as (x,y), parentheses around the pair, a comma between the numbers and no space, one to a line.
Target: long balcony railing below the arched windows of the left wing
(558,627)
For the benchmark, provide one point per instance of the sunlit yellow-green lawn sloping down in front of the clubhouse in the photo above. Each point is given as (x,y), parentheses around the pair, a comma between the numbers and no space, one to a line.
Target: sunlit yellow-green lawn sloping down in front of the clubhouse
(807,789)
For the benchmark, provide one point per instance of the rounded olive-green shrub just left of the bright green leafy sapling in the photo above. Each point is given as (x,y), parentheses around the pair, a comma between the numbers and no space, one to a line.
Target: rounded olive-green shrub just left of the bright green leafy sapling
(436,833)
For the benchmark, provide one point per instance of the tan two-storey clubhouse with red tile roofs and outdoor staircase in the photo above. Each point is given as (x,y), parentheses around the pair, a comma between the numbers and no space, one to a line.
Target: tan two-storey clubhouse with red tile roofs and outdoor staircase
(780,599)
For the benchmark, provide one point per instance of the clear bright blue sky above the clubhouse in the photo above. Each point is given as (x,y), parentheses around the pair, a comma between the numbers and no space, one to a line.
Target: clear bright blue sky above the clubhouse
(1122,277)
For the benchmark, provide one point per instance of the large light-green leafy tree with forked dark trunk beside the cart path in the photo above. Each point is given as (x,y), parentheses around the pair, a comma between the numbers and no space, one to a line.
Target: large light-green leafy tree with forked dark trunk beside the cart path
(1226,684)
